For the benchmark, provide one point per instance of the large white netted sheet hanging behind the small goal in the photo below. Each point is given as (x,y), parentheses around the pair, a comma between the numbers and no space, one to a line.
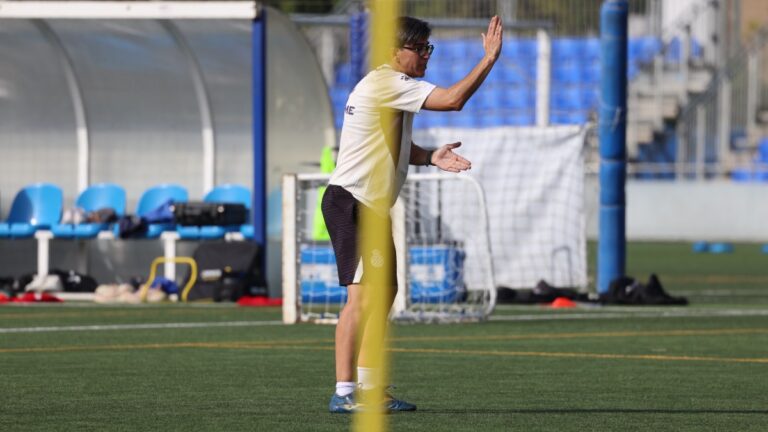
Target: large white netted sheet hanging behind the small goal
(533,178)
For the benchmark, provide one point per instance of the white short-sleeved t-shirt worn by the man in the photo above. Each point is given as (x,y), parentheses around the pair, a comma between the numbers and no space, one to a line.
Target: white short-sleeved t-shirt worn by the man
(367,167)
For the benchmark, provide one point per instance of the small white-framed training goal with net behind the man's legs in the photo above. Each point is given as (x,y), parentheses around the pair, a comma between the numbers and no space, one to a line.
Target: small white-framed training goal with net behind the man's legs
(442,237)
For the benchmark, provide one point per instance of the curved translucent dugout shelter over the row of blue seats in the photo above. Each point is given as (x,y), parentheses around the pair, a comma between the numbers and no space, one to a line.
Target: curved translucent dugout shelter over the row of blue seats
(144,93)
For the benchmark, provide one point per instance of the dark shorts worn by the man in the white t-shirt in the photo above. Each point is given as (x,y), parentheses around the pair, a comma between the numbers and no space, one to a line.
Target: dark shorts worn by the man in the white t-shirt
(341,212)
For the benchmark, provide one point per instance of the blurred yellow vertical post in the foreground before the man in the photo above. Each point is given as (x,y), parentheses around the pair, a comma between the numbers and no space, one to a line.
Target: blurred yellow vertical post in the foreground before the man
(382,22)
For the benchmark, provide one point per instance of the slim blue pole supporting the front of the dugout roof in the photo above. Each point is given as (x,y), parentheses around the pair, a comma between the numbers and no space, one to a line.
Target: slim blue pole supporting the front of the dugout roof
(259,75)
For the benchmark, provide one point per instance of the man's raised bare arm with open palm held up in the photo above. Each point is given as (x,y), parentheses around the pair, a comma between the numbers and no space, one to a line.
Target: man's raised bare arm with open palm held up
(454,97)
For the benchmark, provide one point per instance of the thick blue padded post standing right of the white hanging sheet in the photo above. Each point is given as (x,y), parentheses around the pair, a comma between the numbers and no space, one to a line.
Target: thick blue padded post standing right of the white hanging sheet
(611,255)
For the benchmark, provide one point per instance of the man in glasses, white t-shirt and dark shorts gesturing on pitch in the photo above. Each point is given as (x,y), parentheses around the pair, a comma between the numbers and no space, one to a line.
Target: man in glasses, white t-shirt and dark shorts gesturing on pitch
(371,169)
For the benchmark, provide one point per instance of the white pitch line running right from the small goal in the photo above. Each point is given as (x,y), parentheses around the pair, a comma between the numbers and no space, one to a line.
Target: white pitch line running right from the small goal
(654,314)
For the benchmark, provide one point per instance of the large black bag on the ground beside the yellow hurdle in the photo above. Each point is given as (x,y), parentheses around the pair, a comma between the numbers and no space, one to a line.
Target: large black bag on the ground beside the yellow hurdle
(227,271)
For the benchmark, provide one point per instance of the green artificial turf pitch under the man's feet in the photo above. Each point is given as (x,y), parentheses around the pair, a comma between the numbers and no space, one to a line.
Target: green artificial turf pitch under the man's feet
(696,368)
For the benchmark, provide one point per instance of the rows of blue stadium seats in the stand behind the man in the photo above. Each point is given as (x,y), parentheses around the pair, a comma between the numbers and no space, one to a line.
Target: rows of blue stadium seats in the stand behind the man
(575,63)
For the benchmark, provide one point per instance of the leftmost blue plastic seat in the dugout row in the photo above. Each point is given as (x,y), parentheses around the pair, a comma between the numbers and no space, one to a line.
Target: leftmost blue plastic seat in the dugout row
(35,207)
